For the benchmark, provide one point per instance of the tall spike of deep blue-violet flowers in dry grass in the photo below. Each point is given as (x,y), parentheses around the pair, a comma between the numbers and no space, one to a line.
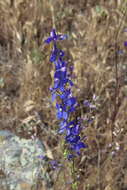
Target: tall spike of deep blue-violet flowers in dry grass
(62,89)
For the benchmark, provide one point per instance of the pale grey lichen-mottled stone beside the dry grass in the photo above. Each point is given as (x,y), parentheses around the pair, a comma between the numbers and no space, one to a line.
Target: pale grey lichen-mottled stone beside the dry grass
(20,162)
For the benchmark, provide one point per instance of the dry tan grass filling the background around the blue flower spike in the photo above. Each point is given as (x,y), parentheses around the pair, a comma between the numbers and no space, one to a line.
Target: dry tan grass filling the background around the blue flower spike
(96,31)
